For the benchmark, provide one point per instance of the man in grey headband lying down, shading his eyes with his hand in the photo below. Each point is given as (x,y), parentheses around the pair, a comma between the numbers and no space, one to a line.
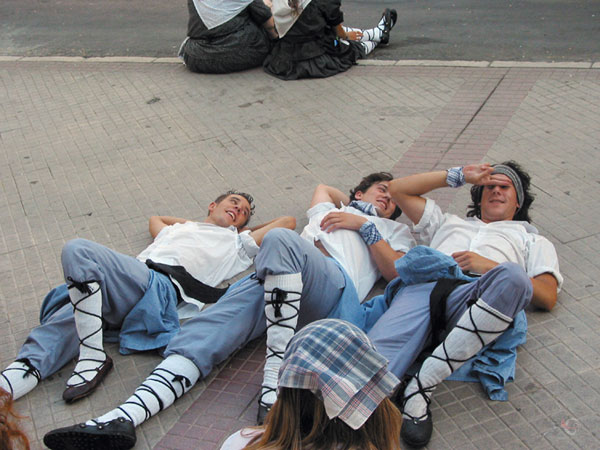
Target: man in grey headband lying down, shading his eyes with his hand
(516,266)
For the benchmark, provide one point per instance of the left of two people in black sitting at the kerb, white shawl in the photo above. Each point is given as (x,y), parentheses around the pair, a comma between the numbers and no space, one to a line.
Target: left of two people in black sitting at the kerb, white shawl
(227,35)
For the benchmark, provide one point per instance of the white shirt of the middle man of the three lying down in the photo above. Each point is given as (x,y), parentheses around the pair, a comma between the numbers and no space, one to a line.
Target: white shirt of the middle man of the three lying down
(348,247)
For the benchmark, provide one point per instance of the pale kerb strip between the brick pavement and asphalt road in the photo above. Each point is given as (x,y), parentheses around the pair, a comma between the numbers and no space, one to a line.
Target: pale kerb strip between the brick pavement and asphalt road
(367,62)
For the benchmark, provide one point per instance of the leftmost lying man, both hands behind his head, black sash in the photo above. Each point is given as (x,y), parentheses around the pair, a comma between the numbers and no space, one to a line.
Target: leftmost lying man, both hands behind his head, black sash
(110,290)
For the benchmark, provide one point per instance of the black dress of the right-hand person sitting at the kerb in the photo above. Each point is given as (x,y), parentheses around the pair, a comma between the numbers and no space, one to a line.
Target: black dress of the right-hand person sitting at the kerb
(310,48)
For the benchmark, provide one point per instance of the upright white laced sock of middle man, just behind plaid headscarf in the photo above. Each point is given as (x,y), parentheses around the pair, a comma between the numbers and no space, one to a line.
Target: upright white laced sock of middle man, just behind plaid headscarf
(281,326)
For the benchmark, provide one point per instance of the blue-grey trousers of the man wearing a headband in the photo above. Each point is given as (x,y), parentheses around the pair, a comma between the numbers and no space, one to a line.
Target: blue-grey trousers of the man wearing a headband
(404,330)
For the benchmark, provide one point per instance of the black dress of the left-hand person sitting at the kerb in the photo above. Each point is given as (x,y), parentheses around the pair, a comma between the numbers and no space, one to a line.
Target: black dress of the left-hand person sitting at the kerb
(239,44)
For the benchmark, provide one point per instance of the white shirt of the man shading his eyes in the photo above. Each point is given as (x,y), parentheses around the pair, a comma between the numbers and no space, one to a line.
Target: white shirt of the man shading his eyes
(502,241)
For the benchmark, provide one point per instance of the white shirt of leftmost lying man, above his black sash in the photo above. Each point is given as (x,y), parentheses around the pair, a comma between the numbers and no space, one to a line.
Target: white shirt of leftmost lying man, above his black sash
(210,253)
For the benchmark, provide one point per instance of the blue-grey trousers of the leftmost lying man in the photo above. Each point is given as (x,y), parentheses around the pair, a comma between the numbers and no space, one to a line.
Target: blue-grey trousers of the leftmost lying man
(123,281)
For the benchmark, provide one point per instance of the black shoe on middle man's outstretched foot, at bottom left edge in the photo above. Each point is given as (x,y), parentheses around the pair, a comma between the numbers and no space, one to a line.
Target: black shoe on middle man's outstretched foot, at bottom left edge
(118,434)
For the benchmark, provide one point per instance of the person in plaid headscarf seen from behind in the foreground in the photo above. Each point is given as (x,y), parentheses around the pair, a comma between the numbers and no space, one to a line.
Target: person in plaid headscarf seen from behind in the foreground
(333,388)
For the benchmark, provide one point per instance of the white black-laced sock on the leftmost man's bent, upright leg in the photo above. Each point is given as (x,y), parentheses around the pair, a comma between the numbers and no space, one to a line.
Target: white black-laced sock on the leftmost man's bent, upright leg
(88,320)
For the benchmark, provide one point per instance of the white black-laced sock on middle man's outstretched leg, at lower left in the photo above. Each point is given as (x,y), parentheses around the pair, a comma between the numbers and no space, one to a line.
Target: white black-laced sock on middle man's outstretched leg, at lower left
(168,381)
